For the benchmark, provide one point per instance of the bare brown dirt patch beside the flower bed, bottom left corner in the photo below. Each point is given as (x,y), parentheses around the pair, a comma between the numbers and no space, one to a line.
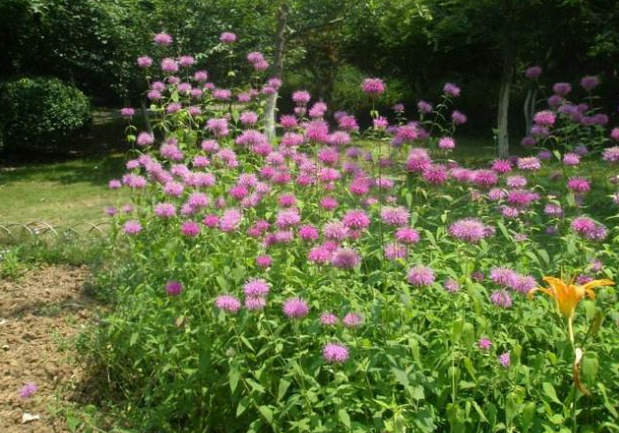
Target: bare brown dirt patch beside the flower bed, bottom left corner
(40,315)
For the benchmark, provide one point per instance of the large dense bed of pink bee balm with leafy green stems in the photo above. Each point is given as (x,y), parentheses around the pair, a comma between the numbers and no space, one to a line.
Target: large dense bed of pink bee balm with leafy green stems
(315,284)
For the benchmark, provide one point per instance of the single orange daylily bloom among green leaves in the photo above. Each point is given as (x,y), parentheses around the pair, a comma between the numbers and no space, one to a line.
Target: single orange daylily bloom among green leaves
(568,295)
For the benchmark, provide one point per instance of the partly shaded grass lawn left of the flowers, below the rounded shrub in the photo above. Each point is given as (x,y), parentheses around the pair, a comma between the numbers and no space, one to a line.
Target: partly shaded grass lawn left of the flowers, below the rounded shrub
(69,189)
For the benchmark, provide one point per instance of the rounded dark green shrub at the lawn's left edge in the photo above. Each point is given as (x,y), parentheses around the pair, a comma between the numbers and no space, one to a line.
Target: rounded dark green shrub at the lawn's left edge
(39,113)
